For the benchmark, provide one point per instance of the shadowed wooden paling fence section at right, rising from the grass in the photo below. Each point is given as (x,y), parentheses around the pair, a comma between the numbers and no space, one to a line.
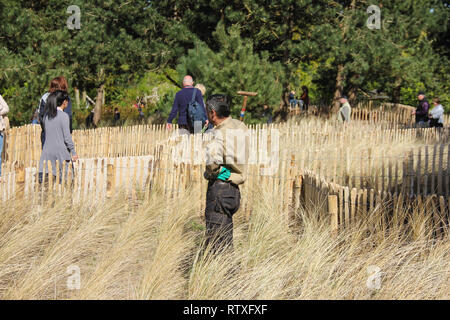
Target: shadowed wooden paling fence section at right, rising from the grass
(345,206)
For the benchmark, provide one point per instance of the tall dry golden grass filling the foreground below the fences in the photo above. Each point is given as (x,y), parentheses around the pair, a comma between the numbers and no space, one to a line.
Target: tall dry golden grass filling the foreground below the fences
(152,249)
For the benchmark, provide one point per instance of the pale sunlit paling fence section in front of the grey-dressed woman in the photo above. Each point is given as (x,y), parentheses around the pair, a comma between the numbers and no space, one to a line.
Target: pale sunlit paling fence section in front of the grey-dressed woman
(85,180)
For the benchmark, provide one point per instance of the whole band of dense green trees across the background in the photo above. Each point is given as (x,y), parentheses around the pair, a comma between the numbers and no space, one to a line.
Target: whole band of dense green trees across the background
(253,45)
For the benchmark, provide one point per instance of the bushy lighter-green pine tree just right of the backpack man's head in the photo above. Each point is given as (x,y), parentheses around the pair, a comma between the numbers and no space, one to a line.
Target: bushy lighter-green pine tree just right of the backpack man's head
(235,67)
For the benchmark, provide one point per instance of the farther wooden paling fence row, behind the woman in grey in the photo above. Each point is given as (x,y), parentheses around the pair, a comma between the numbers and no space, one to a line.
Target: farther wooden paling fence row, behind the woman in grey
(23,144)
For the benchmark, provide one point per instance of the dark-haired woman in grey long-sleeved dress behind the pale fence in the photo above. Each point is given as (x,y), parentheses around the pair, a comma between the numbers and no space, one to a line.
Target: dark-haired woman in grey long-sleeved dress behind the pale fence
(58,143)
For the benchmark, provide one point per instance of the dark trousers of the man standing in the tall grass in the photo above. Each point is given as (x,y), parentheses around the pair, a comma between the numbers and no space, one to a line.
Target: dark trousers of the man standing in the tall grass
(222,202)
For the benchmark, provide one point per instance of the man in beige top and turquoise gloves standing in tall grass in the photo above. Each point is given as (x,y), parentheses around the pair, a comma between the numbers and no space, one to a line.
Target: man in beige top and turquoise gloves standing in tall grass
(225,170)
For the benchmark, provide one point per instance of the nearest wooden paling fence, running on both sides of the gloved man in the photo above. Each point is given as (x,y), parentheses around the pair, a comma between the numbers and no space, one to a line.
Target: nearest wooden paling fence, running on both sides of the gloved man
(96,180)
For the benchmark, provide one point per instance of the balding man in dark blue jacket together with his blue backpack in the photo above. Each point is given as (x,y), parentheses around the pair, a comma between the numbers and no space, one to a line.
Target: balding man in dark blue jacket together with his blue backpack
(188,104)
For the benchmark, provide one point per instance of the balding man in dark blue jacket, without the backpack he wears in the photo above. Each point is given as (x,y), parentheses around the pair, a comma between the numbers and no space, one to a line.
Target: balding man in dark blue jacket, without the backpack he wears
(181,102)
